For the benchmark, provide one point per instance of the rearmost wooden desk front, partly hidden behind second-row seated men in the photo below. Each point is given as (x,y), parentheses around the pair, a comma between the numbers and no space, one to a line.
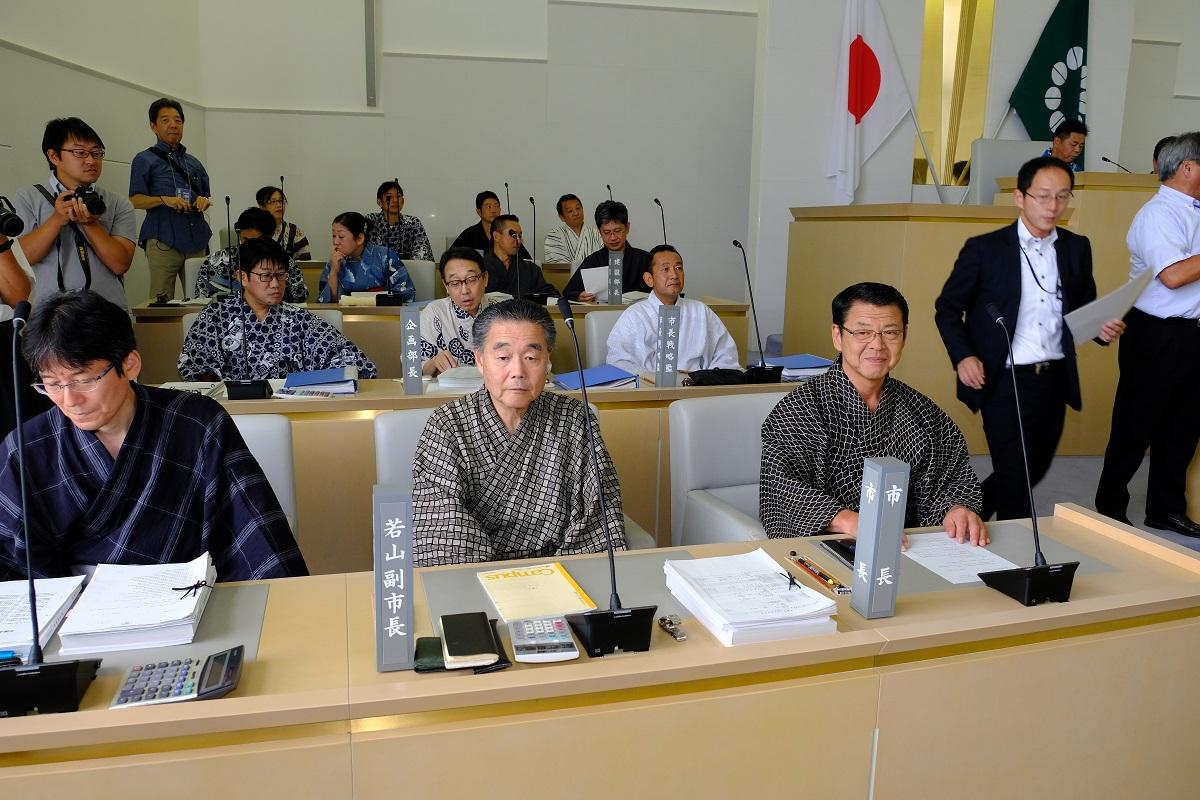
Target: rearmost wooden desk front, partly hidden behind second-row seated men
(376,330)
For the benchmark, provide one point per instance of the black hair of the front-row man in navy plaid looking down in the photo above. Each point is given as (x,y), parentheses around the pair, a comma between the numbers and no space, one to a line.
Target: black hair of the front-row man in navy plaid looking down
(76,328)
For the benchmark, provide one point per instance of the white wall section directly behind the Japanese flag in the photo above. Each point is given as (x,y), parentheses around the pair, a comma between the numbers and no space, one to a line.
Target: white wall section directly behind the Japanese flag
(799,47)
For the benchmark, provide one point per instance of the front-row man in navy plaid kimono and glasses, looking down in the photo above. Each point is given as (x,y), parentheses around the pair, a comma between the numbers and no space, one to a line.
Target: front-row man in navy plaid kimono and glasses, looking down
(119,473)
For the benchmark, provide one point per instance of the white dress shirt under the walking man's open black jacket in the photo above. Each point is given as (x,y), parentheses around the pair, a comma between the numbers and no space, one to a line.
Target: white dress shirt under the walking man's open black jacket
(1039,335)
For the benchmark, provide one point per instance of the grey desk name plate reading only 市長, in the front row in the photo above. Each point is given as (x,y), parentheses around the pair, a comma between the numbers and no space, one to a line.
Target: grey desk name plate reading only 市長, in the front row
(881,514)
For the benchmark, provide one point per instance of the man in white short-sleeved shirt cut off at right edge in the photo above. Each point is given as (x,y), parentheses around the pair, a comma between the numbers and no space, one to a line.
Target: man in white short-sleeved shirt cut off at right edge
(1160,359)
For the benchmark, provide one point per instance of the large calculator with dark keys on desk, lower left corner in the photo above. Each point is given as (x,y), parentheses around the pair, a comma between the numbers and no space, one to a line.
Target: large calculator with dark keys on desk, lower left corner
(182,679)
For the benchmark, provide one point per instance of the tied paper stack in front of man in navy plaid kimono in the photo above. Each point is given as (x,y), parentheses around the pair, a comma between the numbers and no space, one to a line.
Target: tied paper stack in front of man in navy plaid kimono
(141,606)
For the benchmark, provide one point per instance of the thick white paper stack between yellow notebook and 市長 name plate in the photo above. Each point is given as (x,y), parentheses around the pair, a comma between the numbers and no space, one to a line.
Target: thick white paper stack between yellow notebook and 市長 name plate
(743,599)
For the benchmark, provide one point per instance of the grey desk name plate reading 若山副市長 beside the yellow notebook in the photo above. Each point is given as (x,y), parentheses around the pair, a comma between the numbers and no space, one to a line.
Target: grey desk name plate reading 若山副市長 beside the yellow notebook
(393,508)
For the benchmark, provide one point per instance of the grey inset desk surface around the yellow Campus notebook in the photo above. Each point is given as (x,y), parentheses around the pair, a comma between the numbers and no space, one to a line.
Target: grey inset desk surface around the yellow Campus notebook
(640,582)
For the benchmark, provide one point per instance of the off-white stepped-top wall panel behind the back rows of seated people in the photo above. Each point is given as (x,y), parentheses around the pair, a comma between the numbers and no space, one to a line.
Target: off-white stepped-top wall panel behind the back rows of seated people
(659,106)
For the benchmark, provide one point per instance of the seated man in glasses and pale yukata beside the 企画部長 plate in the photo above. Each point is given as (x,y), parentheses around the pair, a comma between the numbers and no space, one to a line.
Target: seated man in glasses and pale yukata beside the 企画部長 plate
(447,323)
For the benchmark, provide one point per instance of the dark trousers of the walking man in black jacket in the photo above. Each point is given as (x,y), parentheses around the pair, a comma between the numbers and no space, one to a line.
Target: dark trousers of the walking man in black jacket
(1043,410)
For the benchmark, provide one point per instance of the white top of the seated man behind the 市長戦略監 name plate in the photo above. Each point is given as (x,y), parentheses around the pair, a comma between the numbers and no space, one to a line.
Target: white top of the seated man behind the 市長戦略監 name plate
(705,344)
